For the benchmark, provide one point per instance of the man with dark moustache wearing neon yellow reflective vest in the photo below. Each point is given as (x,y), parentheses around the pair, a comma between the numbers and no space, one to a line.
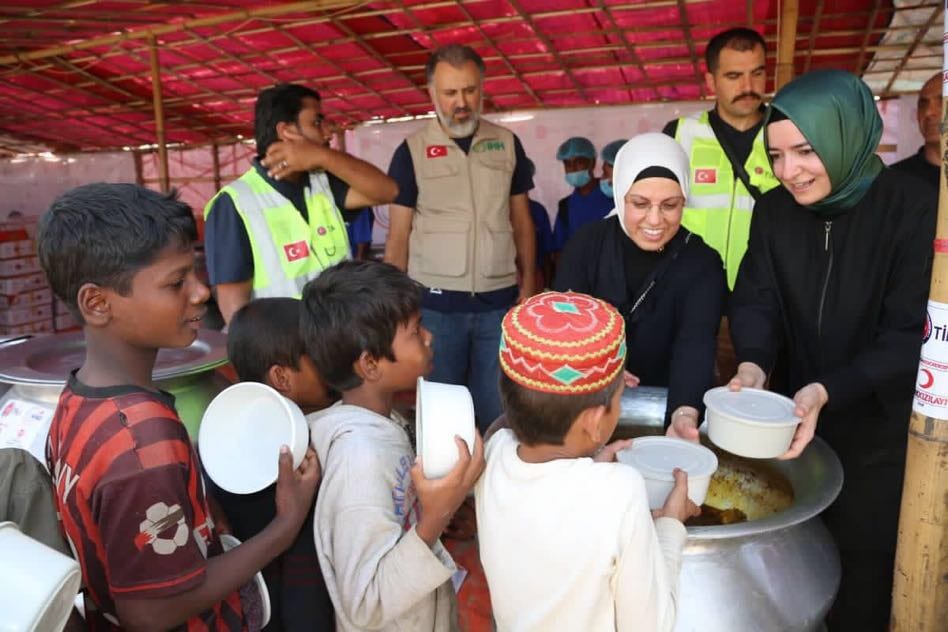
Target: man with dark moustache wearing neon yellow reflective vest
(725,146)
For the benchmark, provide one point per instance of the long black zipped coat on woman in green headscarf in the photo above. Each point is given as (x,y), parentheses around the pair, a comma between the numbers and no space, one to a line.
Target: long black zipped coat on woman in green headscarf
(847,295)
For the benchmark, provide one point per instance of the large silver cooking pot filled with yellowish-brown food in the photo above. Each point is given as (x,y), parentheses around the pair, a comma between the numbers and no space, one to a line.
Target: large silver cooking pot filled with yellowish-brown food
(775,572)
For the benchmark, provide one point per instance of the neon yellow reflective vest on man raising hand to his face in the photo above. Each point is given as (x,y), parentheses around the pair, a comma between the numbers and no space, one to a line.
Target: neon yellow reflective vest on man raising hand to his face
(287,250)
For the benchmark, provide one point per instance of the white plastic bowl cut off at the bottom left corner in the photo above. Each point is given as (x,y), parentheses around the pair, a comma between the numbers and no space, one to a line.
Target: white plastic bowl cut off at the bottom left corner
(38,585)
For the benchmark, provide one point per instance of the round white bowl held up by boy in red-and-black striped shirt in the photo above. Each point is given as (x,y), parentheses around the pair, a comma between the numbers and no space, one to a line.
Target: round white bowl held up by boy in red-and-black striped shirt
(241,434)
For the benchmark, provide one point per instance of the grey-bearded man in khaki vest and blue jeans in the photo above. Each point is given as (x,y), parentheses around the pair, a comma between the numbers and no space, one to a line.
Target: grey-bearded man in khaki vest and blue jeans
(461,224)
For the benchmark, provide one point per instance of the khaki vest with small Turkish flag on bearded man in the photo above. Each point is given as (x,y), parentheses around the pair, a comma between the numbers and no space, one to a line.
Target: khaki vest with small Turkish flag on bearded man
(461,237)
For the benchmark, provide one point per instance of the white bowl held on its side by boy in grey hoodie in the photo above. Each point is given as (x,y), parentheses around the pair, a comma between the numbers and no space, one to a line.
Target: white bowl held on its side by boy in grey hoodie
(442,411)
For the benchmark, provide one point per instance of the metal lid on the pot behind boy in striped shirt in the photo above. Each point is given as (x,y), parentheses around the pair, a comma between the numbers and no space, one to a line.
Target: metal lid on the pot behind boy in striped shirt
(48,359)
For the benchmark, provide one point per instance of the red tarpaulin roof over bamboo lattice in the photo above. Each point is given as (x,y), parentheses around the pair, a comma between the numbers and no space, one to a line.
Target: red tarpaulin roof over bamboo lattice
(77,75)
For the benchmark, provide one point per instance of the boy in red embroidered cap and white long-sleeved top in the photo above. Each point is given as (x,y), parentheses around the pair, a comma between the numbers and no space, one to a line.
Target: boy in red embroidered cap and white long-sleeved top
(549,480)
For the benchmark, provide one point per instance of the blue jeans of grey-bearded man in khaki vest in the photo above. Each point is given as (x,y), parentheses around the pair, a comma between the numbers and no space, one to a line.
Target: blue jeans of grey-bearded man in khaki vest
(465,352)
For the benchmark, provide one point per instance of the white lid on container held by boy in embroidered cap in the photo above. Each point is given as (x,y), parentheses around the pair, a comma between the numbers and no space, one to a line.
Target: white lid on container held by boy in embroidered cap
(657,457)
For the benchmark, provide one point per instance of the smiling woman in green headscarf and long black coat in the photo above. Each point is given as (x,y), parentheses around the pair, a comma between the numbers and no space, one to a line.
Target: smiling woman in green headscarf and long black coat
(837,274)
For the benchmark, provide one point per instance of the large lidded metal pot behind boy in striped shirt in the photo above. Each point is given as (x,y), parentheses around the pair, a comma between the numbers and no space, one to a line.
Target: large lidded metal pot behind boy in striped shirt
(35,370)
